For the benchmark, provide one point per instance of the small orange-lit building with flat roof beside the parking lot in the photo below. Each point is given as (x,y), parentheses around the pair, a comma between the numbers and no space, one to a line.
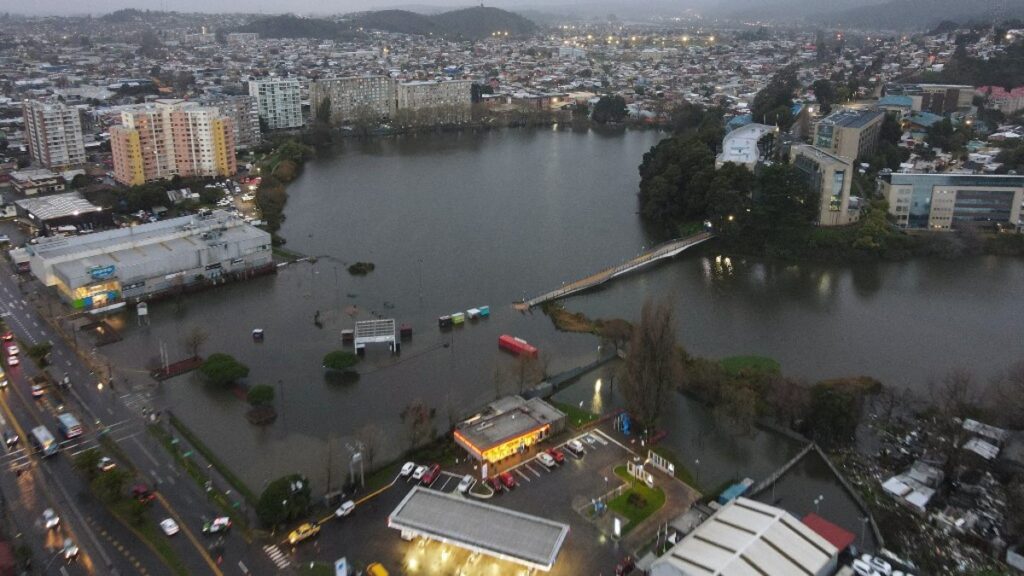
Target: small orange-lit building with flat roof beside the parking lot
(508,427)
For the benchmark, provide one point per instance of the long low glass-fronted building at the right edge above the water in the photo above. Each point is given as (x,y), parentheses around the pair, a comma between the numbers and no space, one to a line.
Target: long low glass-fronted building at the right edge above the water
(946,202)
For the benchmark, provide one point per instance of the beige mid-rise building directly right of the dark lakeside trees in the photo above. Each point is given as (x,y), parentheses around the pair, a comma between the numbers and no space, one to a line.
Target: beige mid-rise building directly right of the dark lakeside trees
(831,177)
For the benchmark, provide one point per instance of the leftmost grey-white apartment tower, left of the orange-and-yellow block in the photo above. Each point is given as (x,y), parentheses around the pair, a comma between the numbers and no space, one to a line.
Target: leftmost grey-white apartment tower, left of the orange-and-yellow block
(54,133)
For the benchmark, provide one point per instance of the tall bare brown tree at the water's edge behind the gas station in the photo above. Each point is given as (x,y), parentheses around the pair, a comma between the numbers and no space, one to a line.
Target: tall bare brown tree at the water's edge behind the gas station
(653,367)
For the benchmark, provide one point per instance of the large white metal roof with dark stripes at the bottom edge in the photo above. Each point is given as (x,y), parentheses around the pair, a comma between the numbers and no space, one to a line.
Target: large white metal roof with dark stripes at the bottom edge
(748,538)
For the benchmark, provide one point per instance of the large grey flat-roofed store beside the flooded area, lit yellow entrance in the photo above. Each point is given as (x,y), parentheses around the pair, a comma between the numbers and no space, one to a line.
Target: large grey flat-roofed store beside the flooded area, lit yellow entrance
(103,271)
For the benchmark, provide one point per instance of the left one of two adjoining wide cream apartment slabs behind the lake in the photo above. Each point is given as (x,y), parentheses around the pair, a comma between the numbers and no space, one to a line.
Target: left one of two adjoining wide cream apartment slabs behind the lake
(349,98)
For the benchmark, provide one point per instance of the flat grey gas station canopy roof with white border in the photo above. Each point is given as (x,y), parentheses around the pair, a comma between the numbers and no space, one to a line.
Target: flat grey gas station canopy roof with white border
(484,528)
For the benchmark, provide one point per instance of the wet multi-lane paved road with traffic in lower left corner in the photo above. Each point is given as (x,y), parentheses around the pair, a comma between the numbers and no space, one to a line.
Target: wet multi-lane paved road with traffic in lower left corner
(120,409)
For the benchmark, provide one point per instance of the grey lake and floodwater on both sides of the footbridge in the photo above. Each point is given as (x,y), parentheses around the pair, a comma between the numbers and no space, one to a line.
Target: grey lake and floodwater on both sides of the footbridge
(454,222)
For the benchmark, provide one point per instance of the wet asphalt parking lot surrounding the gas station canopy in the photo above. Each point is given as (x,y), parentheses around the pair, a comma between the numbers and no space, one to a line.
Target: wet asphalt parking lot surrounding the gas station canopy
(558,493)
